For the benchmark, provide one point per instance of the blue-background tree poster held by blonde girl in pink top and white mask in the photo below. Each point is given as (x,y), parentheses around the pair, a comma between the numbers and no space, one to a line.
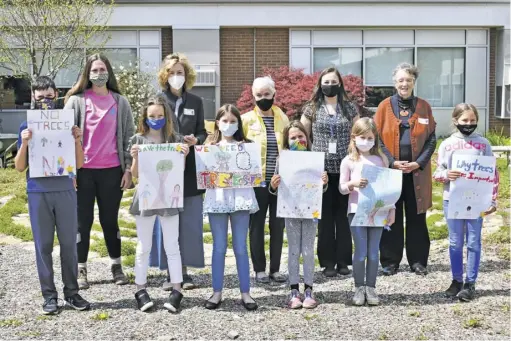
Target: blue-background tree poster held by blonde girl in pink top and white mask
(378,197)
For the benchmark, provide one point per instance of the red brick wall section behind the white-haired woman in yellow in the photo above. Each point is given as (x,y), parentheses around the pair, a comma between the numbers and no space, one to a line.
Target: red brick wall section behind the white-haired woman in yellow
(238,60)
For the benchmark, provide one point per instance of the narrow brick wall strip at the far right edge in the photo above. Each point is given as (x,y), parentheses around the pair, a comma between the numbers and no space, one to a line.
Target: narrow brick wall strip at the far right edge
(499,124)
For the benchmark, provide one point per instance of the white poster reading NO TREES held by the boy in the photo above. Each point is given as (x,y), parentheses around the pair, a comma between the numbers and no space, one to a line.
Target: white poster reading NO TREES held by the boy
(52,147)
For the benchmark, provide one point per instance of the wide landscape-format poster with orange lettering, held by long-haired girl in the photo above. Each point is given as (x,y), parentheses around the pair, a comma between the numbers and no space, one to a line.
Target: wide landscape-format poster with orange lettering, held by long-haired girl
(229,166)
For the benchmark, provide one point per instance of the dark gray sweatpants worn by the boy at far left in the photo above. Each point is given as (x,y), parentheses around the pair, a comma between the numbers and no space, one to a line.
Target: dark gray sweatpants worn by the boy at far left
(48,211)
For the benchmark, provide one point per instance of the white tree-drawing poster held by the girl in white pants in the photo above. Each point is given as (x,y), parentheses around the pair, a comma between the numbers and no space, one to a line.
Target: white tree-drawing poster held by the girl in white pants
(161,174)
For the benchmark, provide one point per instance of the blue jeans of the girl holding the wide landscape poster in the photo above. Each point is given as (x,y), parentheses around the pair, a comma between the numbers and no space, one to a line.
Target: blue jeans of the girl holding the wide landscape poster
(239,227)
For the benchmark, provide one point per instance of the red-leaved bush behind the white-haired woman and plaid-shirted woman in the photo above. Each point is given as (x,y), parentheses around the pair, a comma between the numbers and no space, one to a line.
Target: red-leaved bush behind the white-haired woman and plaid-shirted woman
(294,88)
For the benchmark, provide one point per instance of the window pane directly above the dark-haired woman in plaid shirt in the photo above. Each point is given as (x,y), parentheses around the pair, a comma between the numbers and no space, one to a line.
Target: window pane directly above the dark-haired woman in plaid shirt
(347,60)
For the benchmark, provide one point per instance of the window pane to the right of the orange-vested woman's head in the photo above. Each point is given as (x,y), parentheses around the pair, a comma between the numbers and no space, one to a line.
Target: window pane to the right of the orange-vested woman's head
(442,77)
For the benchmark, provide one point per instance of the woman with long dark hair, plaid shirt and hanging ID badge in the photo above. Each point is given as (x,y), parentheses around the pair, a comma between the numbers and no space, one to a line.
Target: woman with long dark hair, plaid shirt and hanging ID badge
(328,117)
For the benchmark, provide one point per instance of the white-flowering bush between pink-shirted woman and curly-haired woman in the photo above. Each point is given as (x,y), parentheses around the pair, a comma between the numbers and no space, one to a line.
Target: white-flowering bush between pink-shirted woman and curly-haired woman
(135,85)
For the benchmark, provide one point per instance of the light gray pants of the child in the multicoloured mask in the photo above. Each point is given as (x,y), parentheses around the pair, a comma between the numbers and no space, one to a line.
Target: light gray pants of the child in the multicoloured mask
(301,234)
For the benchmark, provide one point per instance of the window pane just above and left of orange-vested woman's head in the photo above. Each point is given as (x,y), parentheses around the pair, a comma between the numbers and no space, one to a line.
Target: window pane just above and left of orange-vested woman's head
(381,61)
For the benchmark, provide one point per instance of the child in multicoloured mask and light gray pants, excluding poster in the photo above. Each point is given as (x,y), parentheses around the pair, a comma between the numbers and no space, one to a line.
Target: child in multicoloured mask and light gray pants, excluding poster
(301,233)
